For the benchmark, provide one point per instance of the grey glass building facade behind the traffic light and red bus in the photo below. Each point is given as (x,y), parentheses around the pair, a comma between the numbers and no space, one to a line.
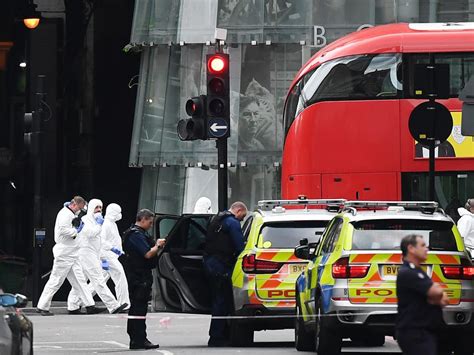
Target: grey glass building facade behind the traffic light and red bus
(268,41)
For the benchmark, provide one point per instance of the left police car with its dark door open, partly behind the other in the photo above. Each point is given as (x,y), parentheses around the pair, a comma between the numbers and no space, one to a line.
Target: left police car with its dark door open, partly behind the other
(265,272)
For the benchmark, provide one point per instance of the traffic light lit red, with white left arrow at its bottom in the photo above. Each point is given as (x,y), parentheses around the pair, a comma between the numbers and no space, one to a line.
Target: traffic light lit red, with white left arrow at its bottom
(218,100)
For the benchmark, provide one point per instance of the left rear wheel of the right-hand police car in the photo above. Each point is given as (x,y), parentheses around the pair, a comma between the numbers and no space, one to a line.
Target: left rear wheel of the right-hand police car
(328,341)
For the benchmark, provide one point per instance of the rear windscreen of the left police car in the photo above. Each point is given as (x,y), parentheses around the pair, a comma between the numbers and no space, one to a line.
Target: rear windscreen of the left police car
(289,234)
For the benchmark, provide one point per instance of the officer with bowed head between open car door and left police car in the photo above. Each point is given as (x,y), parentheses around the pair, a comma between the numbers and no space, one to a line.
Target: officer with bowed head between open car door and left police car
(224,242)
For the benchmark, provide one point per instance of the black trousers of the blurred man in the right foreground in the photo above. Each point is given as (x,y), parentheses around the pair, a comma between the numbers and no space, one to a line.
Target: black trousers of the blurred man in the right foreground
(417,341)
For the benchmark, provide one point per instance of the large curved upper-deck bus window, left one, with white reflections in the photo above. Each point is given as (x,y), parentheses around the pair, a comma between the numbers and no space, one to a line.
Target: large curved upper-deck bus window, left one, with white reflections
(355,78)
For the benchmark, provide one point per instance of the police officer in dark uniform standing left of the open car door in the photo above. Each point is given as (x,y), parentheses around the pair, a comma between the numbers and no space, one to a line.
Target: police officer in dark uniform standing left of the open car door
(140,259)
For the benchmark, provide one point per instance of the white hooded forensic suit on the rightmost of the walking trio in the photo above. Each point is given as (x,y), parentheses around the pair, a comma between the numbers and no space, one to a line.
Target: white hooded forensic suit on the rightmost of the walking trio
(111,240)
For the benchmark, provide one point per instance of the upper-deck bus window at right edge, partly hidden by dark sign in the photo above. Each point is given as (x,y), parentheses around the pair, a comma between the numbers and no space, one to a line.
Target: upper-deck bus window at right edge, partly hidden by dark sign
(461,67)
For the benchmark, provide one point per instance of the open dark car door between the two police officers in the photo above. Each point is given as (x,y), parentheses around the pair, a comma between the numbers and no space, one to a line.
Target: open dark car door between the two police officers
(180,283)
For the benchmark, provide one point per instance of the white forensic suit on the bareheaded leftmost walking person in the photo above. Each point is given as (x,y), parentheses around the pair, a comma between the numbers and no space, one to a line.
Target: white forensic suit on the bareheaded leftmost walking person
(66,262)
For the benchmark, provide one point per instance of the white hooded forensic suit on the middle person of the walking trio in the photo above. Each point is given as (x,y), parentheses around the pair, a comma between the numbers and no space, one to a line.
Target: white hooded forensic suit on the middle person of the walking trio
(89,250)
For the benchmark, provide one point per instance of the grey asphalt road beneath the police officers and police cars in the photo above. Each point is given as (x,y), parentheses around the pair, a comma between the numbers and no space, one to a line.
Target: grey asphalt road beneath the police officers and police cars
(176,334)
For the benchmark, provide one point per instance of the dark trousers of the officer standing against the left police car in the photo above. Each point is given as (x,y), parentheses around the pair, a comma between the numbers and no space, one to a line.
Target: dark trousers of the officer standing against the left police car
(220,282)
